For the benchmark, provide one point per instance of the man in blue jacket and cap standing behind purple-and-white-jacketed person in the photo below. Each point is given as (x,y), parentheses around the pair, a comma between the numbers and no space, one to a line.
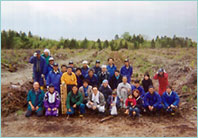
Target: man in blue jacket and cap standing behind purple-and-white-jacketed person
(54,77)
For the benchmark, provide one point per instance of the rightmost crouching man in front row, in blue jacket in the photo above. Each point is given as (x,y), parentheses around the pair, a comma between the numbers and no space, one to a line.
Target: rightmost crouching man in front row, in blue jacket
(170,100)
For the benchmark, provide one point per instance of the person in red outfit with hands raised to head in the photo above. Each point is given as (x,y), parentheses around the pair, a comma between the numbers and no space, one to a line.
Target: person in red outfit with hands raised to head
(162,77)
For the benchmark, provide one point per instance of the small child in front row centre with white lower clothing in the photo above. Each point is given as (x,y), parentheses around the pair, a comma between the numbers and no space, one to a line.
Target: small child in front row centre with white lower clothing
(113,103)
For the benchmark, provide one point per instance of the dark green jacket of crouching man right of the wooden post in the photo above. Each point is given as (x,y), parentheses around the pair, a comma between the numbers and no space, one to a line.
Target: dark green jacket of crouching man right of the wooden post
(74,99)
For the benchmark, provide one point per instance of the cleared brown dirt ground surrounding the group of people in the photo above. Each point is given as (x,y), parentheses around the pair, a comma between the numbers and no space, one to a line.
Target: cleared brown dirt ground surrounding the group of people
(179,67)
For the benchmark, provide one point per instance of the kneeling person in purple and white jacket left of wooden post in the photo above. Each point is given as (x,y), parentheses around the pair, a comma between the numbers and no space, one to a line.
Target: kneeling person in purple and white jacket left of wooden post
(51,102)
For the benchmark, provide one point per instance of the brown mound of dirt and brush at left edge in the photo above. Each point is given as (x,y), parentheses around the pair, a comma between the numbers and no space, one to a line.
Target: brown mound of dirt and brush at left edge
(15,98)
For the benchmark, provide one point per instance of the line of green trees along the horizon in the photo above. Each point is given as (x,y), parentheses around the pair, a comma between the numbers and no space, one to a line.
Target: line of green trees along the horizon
(20,40)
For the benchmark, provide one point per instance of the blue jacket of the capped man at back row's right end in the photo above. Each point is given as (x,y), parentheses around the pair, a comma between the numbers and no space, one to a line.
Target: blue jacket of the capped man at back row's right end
(127,72)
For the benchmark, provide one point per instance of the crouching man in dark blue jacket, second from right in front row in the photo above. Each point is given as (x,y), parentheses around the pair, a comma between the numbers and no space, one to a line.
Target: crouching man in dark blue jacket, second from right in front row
(152,101)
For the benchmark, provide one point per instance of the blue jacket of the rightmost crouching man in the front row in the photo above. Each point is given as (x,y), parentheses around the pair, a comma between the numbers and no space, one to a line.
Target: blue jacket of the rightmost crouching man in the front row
(167,100)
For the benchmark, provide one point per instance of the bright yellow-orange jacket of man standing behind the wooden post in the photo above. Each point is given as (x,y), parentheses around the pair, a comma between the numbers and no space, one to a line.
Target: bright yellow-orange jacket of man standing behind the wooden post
(69,79)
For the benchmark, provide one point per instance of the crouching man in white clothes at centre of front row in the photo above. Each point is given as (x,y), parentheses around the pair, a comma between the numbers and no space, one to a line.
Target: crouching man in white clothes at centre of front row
(96,100)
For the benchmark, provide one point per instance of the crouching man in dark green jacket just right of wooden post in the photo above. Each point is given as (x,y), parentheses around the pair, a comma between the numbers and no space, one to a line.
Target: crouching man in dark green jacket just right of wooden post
(75,102)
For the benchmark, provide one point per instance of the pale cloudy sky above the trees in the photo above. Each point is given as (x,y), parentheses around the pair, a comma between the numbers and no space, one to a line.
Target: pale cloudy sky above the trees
(100,19)
